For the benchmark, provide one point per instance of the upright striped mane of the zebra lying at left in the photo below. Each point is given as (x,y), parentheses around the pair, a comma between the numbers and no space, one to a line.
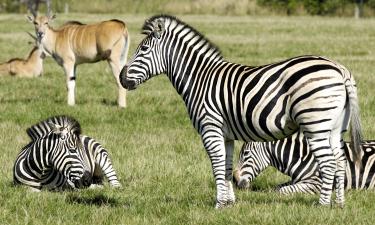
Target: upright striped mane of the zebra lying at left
(42,128)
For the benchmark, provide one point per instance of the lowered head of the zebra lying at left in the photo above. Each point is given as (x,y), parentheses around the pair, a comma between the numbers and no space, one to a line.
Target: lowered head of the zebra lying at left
(68,156)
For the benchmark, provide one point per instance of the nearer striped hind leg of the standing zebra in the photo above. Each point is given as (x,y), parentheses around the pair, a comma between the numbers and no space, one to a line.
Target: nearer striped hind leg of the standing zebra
(321,148)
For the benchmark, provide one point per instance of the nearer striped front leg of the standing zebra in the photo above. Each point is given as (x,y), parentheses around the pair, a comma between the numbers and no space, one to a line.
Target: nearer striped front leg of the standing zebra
(215,147)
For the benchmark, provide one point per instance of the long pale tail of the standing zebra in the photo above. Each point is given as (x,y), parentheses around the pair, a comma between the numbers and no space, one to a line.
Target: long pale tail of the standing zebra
(355,122)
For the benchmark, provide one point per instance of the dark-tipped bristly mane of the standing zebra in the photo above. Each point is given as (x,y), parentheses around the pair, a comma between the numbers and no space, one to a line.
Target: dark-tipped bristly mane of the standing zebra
(148,28)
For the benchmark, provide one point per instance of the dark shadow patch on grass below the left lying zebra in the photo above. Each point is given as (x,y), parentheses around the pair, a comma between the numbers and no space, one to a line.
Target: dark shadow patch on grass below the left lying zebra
(97,200)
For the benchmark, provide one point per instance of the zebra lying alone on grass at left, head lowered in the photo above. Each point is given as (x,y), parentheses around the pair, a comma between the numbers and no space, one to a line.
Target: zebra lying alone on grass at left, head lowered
(59,157)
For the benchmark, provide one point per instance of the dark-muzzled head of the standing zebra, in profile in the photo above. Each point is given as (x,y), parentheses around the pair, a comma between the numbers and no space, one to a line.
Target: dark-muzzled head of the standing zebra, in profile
(147,60)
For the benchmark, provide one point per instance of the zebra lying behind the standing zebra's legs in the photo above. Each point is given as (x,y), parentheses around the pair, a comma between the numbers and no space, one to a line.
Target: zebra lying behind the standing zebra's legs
(292,157)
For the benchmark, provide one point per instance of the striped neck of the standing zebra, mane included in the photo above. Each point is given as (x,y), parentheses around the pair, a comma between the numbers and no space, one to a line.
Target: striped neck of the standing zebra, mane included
(189,58)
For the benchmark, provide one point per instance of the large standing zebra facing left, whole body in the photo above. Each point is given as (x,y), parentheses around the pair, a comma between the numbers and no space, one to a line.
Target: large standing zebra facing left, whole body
(228,101)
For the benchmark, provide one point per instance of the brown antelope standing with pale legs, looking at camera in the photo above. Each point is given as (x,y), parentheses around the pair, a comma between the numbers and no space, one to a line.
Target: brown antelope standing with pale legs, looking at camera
(75,43)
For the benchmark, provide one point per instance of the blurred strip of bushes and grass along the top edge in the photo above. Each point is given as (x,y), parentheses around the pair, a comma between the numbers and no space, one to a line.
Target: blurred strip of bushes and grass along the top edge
(347,8)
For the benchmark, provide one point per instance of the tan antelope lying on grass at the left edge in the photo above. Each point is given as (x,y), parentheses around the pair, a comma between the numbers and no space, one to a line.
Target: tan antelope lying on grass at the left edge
(30,67)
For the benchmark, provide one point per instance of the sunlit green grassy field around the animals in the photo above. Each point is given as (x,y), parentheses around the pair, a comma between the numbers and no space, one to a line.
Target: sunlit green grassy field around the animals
(165,172)
